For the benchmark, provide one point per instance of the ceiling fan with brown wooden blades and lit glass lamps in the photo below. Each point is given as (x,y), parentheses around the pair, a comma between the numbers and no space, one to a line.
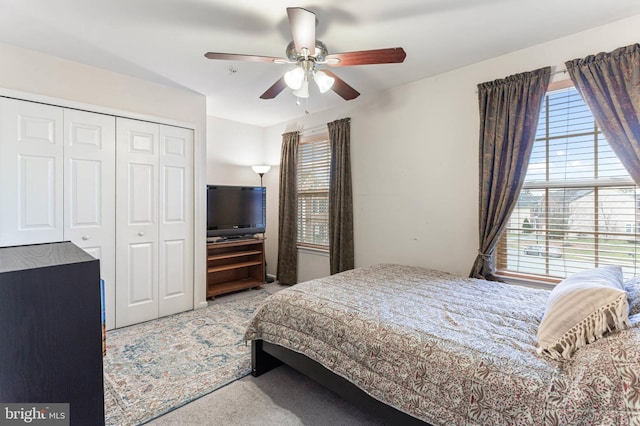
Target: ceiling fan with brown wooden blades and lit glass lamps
(308,53)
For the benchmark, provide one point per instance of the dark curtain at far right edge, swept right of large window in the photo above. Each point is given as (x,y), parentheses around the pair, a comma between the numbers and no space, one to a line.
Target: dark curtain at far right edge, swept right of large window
(610,85)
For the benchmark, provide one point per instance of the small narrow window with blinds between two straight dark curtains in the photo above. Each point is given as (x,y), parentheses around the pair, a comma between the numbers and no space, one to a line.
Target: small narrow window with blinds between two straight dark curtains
(314,157)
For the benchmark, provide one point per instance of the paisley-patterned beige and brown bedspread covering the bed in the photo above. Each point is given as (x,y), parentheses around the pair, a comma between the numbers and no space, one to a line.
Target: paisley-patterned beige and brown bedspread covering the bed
(452,350)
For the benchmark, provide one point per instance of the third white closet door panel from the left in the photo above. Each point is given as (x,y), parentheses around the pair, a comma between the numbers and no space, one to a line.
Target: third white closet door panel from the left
(136,221)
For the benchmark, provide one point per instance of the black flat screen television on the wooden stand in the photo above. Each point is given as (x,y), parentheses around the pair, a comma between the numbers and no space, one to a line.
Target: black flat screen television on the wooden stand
(236,211)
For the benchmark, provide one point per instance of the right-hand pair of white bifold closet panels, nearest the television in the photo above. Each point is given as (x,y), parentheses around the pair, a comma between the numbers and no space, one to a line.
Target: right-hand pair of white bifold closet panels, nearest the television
(154,221)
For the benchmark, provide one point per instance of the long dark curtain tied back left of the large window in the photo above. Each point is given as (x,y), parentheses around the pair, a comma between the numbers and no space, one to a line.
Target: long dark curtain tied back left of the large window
(509,112)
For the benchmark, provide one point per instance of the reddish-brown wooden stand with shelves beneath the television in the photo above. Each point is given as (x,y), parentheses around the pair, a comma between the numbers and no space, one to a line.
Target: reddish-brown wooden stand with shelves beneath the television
(235,265)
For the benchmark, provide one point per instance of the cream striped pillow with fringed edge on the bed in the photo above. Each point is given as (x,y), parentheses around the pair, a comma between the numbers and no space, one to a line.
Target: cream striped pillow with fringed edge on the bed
(581,309)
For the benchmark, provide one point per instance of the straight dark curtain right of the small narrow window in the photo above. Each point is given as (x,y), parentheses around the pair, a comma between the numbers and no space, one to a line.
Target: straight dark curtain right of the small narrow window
(341,253)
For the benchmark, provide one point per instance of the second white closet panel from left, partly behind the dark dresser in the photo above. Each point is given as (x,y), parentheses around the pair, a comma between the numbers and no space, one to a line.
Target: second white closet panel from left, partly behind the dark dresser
(89,192)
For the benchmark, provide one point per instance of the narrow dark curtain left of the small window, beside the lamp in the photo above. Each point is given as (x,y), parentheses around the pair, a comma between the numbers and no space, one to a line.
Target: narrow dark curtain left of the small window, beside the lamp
(287,272)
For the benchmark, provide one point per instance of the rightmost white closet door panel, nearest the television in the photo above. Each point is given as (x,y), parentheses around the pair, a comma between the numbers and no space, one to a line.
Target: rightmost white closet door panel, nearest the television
(175,279)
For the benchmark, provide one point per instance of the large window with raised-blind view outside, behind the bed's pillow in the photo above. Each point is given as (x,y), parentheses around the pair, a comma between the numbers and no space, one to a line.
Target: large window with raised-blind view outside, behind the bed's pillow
(578,208)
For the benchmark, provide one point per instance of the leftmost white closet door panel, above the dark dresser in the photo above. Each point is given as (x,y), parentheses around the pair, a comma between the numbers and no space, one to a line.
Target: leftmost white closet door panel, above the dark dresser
(30,172)
